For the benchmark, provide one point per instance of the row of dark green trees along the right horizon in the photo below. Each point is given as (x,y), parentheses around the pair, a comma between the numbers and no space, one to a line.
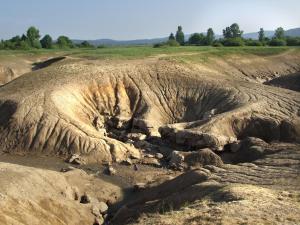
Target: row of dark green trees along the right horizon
(232,36)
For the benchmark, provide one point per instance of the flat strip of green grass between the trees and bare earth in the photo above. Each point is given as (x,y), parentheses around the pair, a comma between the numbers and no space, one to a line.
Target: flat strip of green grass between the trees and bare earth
(137,52)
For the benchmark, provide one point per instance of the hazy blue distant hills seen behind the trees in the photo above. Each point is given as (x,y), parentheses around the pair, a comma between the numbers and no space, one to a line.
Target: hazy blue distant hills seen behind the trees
(254,35)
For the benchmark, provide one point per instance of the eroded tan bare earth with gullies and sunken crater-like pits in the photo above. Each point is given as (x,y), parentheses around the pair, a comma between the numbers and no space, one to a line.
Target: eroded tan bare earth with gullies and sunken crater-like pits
(156,116)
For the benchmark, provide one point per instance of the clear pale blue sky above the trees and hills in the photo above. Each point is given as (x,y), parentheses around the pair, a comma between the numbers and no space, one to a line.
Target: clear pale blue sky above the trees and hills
(138,19)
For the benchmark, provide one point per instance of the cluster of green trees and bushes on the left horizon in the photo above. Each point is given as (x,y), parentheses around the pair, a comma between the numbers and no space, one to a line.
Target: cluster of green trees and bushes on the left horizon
(32,40)
